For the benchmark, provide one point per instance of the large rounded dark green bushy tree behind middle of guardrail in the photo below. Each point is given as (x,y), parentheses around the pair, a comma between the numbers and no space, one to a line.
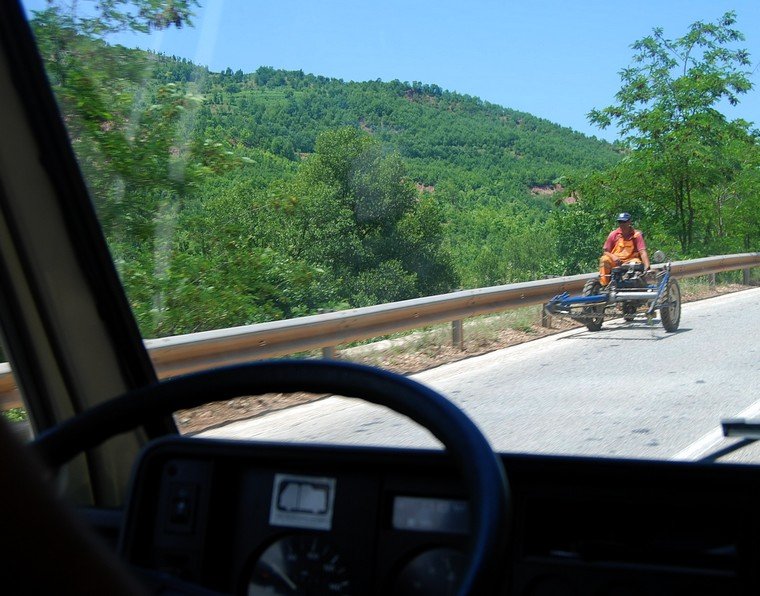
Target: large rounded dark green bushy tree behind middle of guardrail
(354,212)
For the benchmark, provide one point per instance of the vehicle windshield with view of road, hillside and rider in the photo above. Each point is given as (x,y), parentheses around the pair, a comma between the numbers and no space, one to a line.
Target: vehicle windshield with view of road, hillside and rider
(470,193)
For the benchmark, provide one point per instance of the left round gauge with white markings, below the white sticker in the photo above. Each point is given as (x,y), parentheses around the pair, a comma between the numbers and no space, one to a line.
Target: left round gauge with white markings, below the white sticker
(299,564)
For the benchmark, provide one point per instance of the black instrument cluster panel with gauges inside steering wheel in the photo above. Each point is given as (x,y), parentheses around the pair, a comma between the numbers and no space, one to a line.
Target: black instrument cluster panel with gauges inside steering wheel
(240,519)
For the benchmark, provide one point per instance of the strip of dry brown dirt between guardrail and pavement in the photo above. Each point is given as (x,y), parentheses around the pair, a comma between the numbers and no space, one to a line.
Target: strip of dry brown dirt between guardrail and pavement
(411,357)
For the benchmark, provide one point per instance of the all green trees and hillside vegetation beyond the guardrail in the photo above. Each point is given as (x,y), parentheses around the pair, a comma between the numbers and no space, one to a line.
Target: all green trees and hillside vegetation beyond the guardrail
(231,198)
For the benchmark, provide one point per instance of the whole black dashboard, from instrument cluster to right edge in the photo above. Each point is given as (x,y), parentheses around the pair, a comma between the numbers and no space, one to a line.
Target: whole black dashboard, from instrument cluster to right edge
(253,518)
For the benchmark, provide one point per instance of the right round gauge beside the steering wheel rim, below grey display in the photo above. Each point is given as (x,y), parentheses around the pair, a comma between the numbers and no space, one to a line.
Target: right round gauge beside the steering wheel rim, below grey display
(435,571)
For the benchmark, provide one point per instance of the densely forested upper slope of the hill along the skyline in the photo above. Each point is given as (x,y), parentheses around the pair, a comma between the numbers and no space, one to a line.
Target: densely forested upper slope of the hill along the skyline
(443,136)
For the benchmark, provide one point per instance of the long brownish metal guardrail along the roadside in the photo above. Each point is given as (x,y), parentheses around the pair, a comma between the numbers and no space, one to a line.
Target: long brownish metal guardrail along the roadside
(186,353)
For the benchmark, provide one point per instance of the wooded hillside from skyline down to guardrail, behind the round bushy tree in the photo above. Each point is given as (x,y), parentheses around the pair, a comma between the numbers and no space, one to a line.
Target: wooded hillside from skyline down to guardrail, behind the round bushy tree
(495,173)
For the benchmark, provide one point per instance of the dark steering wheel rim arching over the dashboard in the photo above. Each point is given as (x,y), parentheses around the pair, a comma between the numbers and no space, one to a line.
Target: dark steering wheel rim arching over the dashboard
(481,469)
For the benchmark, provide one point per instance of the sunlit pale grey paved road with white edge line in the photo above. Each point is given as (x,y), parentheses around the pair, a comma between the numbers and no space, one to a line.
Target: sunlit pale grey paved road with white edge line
(626,391)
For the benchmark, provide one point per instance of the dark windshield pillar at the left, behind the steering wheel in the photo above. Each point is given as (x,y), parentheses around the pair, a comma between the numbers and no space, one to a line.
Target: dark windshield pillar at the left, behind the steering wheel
(69,333)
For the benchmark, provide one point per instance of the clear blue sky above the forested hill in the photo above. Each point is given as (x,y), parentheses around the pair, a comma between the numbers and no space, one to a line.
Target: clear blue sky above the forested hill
(554,59)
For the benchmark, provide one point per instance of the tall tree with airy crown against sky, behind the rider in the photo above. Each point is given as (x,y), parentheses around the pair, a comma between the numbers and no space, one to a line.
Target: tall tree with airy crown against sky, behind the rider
(667,111)
